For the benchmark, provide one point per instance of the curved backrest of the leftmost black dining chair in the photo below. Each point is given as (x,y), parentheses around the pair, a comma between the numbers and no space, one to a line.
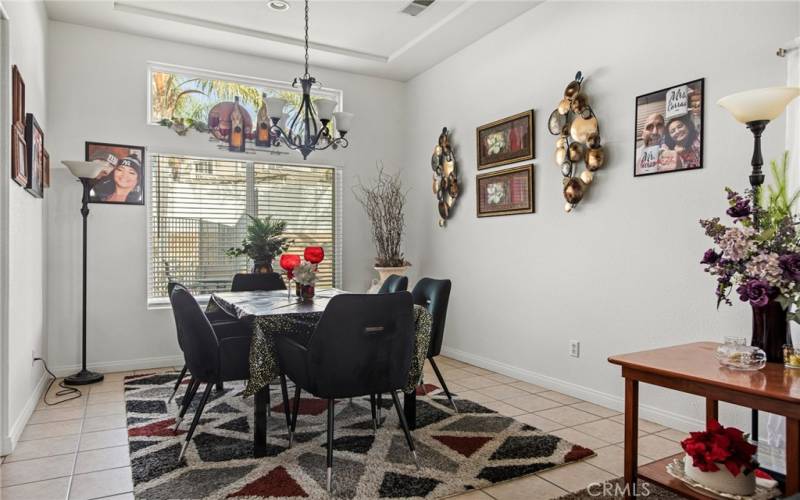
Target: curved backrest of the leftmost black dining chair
(198,340)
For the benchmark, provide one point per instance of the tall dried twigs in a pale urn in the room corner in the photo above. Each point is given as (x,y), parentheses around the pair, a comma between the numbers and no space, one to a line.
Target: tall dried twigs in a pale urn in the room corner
(384,202)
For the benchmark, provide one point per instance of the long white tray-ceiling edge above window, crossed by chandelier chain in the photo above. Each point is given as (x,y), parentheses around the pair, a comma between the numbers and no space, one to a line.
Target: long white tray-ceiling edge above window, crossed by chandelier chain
(179,18)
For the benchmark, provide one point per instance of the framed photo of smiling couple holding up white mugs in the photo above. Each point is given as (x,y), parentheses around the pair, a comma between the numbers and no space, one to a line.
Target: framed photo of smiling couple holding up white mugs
(669,130)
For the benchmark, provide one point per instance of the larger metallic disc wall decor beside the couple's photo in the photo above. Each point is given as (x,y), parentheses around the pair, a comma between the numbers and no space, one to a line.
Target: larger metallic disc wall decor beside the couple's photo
(576,125)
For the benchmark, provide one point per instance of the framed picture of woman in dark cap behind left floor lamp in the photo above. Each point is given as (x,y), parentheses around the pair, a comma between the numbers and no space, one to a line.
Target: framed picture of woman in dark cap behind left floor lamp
(121,181)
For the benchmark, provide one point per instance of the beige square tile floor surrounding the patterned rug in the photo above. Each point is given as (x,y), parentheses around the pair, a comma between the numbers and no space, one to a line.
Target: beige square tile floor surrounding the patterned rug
(79,449)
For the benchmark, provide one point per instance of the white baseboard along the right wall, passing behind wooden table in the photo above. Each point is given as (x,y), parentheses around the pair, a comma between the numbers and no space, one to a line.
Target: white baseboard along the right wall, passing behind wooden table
(648,412)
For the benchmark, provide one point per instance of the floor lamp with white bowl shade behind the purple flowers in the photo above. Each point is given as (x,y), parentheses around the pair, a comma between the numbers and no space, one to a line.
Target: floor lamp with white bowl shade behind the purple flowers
(756,108)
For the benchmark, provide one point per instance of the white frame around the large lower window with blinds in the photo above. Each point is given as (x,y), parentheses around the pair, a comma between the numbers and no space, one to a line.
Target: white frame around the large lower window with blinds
(163,302)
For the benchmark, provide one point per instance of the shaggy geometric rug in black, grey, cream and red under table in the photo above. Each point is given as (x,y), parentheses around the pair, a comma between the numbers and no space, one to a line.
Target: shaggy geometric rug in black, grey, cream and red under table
(457,452)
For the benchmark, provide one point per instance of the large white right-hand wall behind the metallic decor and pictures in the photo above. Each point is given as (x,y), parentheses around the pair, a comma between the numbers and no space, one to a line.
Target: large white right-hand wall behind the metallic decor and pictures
(621,272)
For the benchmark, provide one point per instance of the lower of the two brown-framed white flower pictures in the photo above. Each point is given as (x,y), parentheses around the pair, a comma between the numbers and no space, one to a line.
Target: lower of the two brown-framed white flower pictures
(505,192)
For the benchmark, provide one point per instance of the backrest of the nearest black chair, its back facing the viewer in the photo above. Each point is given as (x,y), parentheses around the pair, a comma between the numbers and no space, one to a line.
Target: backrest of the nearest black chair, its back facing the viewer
(362,345)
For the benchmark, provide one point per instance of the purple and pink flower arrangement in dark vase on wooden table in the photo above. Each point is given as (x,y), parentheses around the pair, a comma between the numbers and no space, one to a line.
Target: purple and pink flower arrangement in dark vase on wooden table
(758,256)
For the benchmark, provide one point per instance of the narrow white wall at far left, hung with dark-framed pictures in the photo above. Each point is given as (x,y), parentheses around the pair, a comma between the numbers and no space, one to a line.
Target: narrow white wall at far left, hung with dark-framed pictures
(24,330)
